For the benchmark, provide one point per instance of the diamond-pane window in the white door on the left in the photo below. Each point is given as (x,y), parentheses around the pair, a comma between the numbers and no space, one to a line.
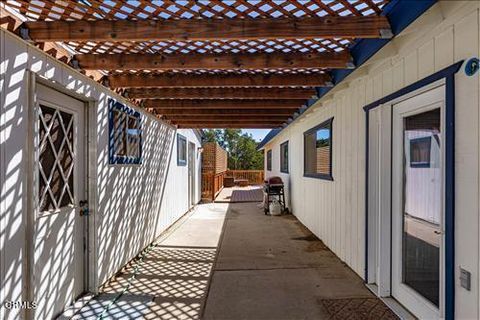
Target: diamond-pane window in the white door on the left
(56,159)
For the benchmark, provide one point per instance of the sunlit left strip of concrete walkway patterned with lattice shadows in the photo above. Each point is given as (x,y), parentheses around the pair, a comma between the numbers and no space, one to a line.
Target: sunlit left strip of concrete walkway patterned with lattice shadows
(171,281)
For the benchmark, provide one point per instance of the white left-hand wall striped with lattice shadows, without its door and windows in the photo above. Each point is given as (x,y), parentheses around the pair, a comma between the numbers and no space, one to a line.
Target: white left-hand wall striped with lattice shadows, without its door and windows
(134,202)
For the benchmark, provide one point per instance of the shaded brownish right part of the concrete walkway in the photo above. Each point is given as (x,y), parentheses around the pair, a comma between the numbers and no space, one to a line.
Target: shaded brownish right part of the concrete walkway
(274,268)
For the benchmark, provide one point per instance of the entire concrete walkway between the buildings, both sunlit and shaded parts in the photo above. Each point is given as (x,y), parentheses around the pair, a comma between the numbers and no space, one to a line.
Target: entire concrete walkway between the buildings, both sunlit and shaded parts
(259,267)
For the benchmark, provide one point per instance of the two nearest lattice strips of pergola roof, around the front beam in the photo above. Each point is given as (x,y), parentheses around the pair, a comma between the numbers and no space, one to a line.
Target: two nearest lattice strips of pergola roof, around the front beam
(163,10)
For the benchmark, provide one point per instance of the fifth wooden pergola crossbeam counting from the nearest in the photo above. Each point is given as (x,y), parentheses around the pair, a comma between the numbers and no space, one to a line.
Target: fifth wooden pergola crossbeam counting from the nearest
(291,104)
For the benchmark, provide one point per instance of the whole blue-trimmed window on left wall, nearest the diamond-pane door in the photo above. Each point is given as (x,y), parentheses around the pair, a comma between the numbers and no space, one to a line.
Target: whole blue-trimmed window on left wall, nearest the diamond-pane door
(125,145)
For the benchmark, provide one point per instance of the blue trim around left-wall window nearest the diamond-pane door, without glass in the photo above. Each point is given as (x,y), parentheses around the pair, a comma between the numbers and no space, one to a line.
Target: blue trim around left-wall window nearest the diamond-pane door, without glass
(114,159)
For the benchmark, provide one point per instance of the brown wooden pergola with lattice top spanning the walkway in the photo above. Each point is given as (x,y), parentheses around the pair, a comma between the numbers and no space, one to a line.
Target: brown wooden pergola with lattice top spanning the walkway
(209,64)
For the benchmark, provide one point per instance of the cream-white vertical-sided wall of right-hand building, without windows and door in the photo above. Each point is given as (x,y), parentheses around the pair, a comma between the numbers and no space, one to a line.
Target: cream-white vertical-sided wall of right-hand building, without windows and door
(335,210)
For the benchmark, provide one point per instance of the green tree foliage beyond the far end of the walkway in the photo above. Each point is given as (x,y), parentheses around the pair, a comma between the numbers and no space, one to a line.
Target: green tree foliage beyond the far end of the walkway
(241,148)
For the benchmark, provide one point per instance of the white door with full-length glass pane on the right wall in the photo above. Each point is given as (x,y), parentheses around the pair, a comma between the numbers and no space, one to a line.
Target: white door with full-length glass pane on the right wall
(417,203)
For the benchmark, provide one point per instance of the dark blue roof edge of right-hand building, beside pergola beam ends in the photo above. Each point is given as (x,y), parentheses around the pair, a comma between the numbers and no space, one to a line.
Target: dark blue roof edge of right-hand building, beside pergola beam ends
(400,14)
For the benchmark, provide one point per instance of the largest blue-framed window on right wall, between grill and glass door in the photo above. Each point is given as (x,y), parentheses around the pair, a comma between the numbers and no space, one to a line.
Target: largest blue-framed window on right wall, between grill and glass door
(318,151)
